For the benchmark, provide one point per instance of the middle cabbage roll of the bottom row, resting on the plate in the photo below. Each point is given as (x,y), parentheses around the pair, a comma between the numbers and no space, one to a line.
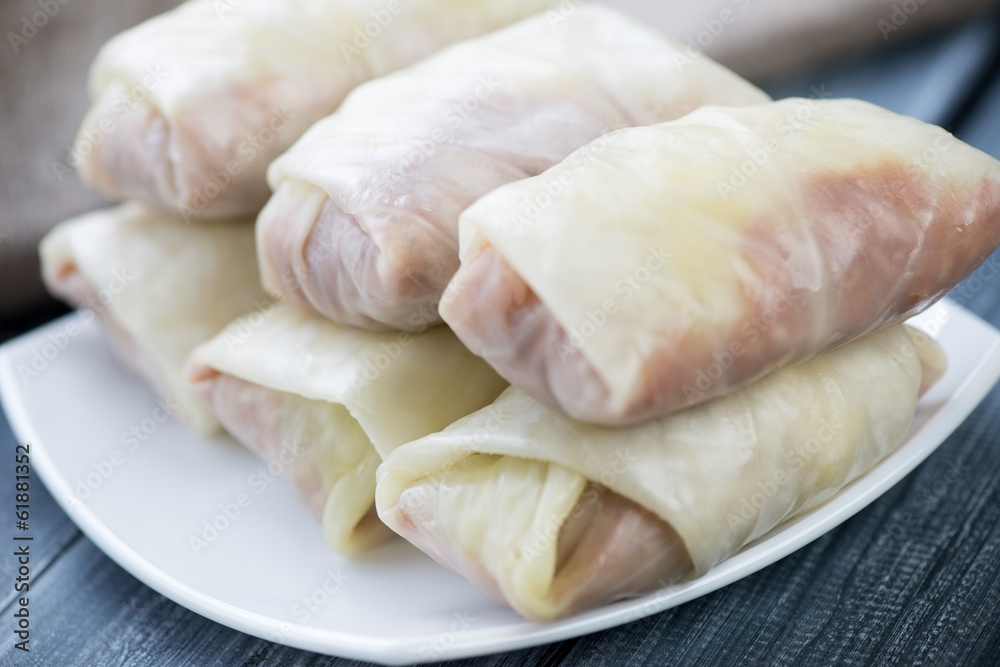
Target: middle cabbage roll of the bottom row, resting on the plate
(329,402)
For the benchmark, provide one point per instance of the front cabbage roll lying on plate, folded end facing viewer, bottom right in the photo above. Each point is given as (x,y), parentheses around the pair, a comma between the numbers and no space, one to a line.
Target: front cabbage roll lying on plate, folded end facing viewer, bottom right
(551,516)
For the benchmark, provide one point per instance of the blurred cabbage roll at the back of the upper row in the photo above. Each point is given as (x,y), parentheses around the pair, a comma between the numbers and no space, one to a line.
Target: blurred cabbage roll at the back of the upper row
(190,107)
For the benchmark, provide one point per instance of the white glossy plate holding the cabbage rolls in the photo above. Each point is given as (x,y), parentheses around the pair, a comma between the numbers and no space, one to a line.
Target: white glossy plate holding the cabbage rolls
(395,606)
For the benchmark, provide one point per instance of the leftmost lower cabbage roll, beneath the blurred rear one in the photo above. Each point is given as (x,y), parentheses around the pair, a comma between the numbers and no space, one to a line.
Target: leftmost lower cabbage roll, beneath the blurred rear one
(159,286)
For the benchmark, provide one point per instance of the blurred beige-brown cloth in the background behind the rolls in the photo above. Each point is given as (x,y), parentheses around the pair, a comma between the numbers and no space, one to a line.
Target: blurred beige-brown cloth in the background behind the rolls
(43,86)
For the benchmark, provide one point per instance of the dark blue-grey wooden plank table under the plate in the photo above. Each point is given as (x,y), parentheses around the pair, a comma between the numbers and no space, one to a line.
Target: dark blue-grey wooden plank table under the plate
(913,579)
